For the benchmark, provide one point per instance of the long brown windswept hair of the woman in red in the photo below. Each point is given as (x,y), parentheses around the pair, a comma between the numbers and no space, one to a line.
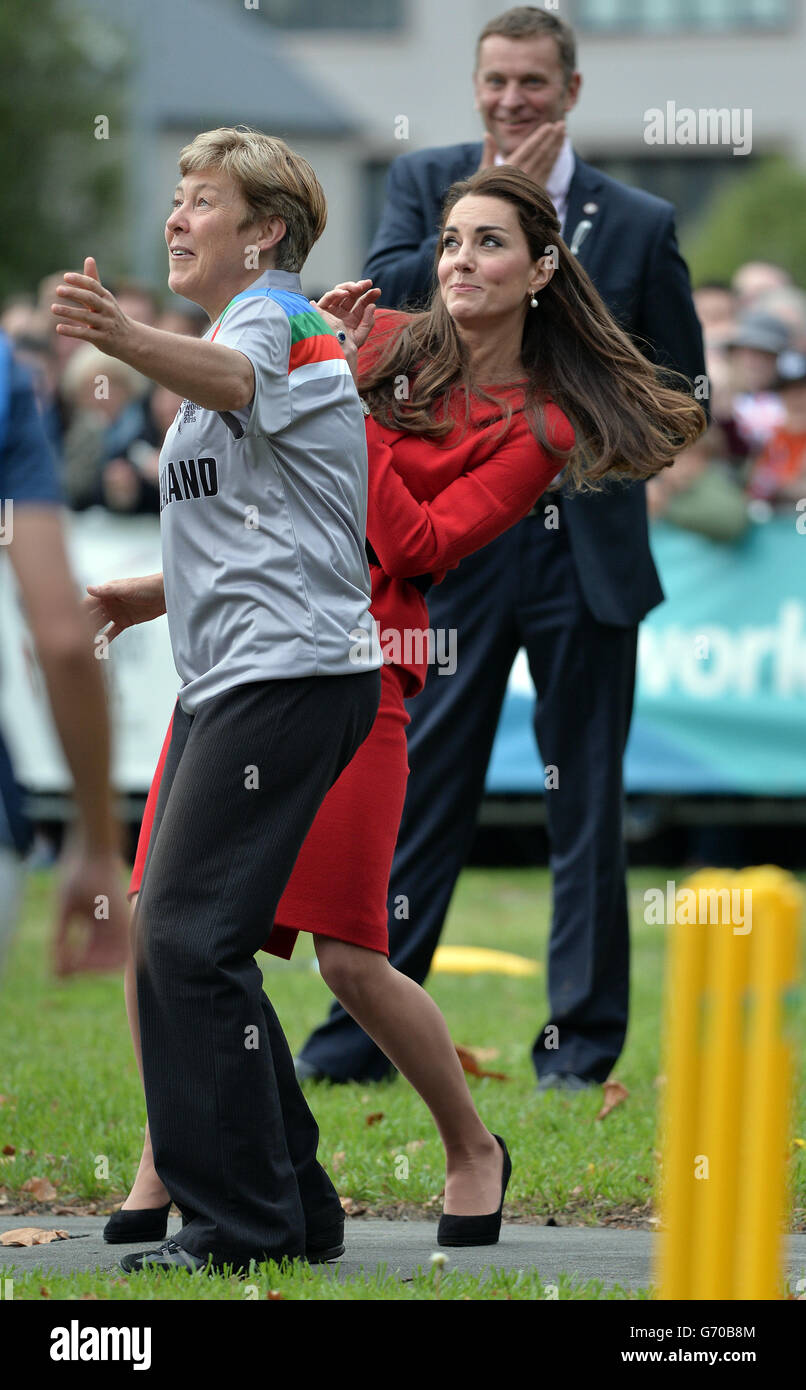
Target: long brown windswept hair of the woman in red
(627,418)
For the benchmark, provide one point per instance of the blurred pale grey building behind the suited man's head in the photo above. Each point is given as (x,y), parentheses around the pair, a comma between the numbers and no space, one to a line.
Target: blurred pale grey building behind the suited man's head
(352,84)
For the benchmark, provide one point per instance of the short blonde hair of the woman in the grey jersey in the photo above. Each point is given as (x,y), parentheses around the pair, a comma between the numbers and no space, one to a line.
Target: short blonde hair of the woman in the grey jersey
(273,180)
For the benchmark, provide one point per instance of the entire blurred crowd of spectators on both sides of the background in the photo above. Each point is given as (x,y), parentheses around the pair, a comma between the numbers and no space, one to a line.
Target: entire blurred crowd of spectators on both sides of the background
(108,423)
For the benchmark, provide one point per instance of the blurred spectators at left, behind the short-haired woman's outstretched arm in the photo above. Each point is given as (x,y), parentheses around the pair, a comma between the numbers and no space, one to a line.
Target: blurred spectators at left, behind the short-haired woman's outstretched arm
(106,423)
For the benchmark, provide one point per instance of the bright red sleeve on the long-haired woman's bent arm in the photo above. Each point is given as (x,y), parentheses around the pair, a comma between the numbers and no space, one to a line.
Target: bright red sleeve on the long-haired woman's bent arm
(412,537)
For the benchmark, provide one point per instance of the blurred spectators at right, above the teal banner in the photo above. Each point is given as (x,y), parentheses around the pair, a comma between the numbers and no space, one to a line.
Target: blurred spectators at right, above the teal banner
(752,461)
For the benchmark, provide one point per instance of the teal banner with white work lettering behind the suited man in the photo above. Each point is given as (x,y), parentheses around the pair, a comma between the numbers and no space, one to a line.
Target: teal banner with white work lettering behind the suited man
(721,703)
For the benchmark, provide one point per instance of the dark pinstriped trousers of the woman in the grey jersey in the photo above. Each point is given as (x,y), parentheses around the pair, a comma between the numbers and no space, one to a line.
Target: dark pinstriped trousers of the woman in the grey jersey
(234,1139)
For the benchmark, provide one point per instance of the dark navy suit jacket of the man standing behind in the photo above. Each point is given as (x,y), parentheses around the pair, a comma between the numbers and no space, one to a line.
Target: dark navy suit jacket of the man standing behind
(633,258)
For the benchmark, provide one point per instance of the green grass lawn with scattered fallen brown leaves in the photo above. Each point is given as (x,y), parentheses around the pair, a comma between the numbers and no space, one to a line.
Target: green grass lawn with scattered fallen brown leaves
(73,1096)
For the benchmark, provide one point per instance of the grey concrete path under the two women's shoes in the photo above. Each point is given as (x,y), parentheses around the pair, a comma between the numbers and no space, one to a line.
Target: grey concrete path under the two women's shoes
(616,1257)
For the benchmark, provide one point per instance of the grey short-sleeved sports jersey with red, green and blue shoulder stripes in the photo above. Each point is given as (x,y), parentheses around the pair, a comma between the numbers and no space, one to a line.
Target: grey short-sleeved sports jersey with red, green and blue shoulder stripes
(265,511)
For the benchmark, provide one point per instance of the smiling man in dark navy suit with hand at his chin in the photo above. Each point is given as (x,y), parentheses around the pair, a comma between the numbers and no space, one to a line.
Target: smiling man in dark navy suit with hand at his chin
(570,583)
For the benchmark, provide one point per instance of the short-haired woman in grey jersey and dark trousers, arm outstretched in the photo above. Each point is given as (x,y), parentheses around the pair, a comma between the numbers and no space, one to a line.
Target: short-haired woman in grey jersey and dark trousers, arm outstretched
(265,490)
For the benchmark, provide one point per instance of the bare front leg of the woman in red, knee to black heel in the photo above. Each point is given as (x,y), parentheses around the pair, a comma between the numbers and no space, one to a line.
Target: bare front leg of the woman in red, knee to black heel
(409,1028)
